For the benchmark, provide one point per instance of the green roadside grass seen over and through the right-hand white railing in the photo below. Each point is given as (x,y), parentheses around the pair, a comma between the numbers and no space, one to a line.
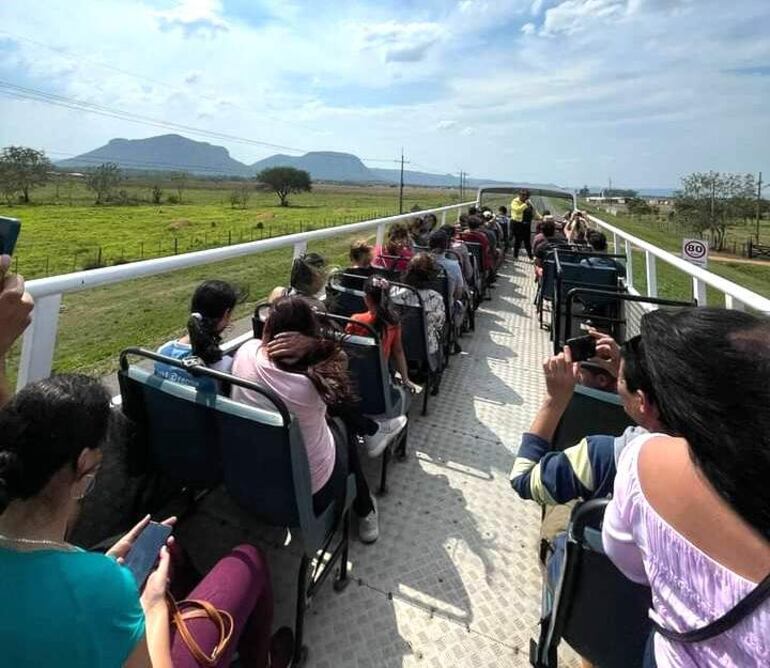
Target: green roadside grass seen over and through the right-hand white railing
(673,283)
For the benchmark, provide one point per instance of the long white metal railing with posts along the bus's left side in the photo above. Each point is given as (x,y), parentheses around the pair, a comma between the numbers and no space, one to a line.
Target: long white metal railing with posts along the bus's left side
(40,338)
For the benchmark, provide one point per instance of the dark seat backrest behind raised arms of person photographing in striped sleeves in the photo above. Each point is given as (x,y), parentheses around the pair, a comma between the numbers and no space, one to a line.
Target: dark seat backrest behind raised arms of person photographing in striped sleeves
(589,412)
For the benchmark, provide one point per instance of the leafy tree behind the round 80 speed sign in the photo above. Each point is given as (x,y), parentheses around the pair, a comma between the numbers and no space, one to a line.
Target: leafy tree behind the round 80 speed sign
(711,201)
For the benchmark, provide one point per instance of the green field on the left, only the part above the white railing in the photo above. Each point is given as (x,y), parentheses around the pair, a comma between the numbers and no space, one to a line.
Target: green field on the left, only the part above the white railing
(69,233)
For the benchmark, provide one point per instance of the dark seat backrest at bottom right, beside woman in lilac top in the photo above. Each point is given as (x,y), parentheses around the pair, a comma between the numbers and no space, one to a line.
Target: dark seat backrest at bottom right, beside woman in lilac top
(601,614)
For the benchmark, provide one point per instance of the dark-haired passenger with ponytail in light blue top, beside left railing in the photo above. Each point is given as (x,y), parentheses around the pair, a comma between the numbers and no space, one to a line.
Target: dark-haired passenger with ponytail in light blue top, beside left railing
(211,309)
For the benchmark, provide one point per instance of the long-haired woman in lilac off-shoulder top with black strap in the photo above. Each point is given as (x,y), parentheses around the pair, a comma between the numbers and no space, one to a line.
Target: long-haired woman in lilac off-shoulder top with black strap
(690,515)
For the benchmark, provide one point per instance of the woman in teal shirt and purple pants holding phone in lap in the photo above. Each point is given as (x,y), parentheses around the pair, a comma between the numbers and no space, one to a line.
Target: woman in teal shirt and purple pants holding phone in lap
(63,606)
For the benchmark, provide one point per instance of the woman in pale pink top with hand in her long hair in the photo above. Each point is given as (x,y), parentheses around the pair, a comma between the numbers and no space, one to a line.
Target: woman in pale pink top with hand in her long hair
(309,384)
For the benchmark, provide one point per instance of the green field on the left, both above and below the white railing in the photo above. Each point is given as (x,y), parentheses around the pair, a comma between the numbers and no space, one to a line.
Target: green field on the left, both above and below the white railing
(95,325)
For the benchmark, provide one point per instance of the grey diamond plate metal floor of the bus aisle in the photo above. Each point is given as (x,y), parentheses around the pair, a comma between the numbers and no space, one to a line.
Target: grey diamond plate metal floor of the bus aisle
(453,579)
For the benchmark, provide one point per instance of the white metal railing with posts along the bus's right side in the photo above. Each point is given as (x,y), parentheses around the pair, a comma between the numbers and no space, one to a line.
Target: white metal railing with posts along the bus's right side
(735,296)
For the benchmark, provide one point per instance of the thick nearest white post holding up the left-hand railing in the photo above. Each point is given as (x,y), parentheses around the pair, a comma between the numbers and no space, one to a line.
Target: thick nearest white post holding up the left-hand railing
(39,341)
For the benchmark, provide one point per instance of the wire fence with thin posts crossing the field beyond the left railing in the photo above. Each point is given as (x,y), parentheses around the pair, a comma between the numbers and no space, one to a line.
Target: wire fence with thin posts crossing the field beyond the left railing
(104,255)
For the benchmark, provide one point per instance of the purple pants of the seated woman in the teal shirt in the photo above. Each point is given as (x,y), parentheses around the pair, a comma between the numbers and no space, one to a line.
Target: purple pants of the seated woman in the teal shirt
(240,584)
